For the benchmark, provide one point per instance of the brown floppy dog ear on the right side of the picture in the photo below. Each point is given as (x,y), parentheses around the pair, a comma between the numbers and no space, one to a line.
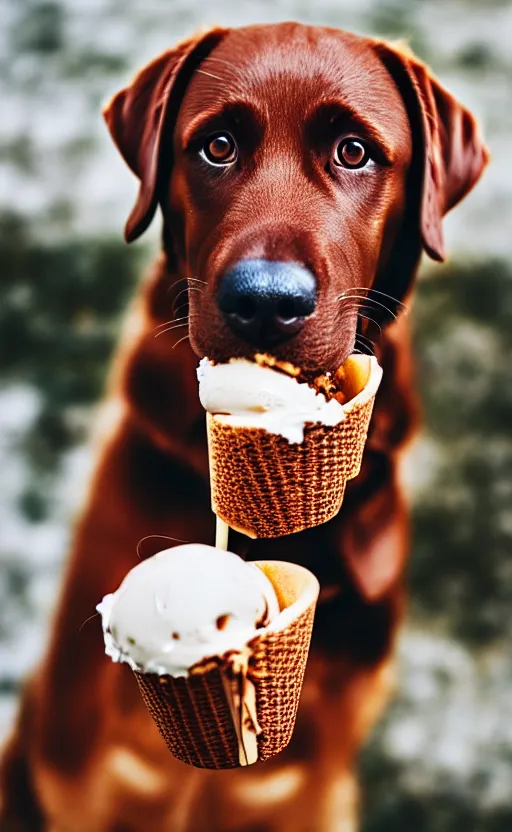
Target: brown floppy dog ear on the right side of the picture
(454,155)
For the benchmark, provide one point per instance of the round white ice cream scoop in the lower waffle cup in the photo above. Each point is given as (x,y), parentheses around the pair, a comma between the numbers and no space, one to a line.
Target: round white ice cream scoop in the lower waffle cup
(183,605)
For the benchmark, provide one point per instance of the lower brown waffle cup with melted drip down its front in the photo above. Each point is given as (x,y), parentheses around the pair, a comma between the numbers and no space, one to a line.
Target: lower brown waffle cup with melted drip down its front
(193,714)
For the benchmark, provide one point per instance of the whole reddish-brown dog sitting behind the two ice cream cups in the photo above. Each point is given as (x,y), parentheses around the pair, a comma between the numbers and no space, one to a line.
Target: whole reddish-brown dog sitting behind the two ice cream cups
(299,171)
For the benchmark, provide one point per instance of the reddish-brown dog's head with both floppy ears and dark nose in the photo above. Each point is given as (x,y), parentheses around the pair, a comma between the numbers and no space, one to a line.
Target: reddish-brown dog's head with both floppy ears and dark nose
(299,170)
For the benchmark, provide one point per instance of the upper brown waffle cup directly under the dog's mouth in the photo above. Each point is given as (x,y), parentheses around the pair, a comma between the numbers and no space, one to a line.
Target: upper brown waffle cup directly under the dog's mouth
(266,487)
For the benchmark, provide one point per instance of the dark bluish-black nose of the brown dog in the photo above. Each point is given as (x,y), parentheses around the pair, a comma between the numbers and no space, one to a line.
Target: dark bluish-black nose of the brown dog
(266,301)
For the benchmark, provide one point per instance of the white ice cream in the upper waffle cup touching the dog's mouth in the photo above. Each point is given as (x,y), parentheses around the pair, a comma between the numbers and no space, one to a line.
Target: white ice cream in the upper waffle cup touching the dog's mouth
(251,395)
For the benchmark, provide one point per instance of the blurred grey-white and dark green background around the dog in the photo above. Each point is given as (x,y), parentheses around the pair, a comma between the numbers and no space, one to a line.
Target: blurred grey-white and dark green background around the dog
(441,760)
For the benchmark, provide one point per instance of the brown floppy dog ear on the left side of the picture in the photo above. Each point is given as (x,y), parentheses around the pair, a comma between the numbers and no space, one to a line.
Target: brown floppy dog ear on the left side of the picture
(141,118)
